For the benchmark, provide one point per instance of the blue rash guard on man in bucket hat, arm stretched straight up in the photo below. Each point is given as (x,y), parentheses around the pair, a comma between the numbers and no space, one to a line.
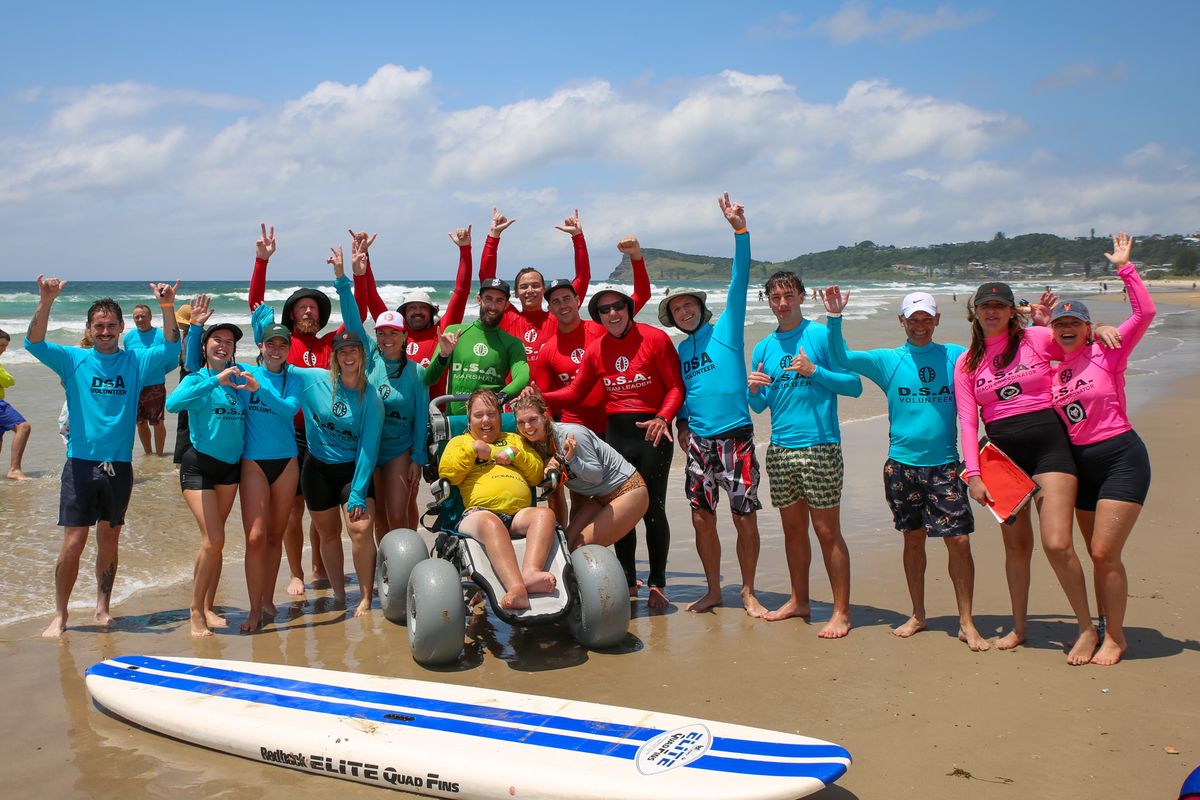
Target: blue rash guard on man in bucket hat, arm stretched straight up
(713,359)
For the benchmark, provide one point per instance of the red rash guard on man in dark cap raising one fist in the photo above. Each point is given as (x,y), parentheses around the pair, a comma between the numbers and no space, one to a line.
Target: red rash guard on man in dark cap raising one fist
(562,354)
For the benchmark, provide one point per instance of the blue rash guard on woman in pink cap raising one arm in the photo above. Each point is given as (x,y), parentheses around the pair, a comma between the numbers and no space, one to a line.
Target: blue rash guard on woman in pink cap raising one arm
(401,387)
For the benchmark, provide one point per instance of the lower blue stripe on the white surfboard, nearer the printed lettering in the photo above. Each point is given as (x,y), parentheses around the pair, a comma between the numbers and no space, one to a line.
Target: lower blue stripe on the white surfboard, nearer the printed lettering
(825,772)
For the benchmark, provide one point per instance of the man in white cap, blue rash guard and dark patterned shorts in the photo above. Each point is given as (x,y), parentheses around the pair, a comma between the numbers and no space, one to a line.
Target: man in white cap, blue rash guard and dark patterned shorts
(922,476)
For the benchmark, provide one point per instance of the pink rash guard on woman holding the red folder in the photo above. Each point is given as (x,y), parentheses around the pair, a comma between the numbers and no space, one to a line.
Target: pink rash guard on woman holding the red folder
(1003,392)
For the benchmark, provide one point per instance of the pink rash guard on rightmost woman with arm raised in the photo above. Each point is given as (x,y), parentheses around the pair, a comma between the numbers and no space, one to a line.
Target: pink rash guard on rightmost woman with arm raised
(1089,387)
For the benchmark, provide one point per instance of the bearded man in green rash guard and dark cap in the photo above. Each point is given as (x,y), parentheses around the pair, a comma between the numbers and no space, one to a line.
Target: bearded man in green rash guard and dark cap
(479,354)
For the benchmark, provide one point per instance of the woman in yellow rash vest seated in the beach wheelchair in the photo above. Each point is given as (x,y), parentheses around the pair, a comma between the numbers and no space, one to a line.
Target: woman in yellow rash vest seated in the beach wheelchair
(494,471)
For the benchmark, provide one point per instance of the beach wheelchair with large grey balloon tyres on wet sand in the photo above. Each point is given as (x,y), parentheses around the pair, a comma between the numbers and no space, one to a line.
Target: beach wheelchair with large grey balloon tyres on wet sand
(427,588)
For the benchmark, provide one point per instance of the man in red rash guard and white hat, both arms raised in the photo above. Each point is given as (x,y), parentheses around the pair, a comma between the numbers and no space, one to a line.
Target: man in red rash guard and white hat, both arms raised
(418,310)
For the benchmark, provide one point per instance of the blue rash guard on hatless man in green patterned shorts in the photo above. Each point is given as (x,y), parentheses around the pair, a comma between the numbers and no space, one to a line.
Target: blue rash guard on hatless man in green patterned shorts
(803,410)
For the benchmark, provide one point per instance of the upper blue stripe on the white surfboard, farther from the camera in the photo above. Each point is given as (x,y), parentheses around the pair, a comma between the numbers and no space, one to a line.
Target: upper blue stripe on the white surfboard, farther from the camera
(638,733)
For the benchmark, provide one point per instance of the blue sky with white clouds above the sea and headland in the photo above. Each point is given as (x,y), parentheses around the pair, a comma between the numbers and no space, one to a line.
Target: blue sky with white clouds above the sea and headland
(149,140)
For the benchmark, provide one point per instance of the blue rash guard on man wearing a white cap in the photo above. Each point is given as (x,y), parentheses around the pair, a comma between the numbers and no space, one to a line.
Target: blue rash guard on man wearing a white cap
(919,383)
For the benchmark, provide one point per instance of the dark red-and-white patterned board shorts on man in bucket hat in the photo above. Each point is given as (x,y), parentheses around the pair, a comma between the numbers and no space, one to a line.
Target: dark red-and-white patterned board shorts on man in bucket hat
(725,462)
